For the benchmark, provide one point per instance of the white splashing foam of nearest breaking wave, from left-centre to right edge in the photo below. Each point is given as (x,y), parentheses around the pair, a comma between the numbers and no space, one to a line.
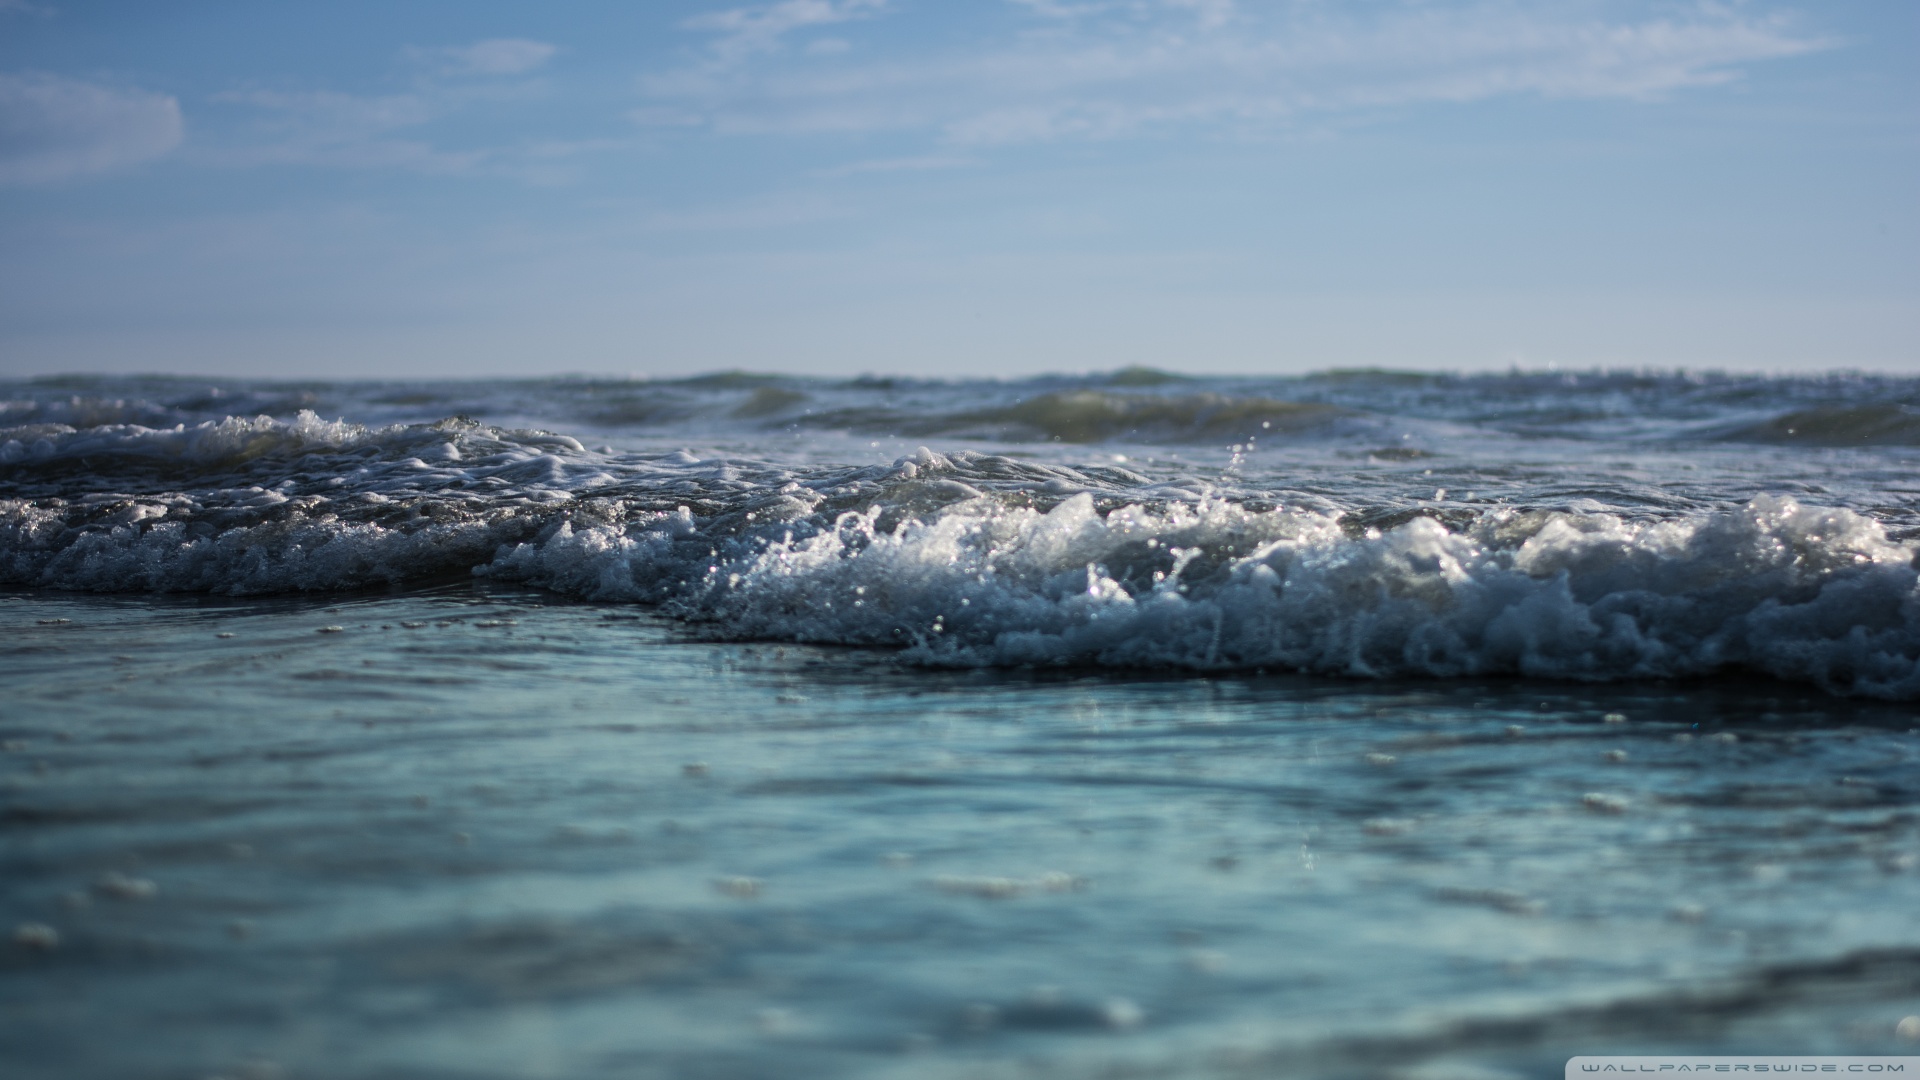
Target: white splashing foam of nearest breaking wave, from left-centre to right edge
(1800,593)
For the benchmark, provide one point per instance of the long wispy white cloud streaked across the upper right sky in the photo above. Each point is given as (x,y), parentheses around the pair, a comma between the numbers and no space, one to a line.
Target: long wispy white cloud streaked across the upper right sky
(1120,68)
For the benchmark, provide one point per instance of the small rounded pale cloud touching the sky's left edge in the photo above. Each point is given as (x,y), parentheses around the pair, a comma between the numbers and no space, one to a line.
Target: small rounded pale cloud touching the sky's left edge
(55,128)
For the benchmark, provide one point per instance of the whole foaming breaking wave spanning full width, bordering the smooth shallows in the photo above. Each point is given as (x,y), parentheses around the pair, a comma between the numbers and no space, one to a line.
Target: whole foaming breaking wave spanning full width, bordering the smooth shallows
(972,558)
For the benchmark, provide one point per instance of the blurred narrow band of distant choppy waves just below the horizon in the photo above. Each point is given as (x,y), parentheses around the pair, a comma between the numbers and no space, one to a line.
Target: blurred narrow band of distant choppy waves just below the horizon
(1130,406)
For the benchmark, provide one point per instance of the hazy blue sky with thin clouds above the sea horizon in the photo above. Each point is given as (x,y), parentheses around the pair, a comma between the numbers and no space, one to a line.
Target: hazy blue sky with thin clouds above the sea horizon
(990,187)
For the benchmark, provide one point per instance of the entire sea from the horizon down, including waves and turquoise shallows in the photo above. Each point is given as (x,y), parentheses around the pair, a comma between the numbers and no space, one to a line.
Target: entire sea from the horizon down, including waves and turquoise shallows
(1347,725)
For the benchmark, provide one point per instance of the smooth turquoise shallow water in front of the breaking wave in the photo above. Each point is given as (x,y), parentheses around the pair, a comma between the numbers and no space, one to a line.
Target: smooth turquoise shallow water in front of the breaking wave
(485,831)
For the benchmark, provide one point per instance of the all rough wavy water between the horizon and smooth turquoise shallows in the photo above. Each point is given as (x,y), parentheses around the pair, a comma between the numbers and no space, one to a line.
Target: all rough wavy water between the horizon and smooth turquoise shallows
(1598,528)
